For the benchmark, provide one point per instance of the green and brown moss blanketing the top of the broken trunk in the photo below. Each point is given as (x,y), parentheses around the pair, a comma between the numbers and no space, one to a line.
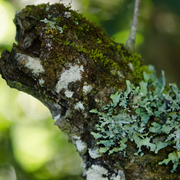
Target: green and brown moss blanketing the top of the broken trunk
(63,38)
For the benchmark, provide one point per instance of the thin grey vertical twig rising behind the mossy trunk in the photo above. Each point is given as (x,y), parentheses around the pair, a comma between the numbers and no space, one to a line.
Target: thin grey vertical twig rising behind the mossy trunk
(130,43)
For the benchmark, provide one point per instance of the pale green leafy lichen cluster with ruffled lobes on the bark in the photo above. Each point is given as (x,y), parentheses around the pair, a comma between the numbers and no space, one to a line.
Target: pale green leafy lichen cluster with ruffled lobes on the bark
(147,114)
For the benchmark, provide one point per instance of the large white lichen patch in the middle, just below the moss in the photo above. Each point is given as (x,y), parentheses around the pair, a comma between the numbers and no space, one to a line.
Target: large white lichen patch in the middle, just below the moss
(71,75)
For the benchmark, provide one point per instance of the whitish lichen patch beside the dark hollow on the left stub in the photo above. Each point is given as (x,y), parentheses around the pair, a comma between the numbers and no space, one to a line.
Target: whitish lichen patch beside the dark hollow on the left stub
(33,64)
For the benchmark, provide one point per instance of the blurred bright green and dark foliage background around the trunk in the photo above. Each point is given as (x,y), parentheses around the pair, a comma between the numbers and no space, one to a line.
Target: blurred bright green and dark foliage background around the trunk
(31,147)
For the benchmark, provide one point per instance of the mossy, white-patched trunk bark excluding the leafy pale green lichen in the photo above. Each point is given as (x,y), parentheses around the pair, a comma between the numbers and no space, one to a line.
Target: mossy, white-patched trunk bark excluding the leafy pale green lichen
(72,67)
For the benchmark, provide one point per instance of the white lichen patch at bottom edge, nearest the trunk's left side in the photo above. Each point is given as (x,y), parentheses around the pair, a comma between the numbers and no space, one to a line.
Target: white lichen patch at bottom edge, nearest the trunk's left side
(96,172)
